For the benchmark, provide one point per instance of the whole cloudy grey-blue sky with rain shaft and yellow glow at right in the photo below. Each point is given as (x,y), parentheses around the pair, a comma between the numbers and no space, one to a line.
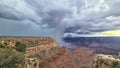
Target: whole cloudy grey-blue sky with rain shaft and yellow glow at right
(59,18)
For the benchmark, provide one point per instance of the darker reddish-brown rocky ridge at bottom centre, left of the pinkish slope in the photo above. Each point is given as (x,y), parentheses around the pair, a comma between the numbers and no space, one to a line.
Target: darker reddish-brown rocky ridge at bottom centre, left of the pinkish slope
(61,58)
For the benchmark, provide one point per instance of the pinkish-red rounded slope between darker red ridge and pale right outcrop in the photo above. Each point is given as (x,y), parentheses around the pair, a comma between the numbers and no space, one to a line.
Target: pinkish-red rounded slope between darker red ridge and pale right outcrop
(84,56)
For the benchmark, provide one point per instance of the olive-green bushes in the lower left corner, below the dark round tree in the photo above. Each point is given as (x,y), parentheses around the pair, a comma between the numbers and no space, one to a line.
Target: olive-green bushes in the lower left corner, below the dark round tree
(9,58)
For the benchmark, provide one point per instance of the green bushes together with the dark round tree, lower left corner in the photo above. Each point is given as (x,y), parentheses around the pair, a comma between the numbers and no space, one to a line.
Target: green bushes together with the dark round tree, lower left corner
(10,57)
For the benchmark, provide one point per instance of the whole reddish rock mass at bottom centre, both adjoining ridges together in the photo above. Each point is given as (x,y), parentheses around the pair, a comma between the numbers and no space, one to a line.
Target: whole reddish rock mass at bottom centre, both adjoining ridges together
(61,57)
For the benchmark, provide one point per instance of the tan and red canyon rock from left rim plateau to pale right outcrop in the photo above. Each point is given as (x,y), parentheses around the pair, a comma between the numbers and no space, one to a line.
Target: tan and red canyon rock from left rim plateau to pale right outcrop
(44,52)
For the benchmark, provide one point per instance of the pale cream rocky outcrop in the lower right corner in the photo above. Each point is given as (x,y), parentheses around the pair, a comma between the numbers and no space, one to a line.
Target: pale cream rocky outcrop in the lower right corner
(106,61)
